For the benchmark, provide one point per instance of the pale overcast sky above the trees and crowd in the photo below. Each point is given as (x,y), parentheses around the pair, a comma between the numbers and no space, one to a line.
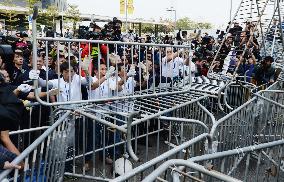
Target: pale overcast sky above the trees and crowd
(216,12)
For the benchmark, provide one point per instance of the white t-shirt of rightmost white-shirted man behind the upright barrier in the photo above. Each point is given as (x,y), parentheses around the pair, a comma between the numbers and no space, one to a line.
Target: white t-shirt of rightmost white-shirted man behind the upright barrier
(171,68)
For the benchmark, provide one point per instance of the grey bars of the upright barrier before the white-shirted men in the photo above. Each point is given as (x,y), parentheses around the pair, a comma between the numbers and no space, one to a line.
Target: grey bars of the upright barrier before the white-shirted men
(165,82)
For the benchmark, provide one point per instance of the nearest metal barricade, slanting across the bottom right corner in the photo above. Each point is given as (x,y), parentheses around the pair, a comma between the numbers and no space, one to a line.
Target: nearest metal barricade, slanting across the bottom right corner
(263,162)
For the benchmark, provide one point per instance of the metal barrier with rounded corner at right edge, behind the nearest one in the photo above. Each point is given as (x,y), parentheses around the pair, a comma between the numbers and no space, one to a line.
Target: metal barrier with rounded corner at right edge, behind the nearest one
(257,121)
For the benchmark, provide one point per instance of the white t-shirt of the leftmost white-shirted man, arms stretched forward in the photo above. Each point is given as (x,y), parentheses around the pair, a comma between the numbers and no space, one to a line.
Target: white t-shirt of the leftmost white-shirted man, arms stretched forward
(66,93)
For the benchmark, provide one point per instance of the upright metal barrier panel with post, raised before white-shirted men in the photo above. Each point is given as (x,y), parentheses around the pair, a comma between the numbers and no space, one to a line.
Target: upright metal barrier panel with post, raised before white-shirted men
(158,67)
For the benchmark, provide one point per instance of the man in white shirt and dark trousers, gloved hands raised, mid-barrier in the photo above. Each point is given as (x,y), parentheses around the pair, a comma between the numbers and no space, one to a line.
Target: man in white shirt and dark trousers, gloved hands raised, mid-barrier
(107,84)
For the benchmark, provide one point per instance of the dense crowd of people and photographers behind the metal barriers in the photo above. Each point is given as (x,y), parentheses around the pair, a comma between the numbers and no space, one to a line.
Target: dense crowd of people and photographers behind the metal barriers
(109,70)
